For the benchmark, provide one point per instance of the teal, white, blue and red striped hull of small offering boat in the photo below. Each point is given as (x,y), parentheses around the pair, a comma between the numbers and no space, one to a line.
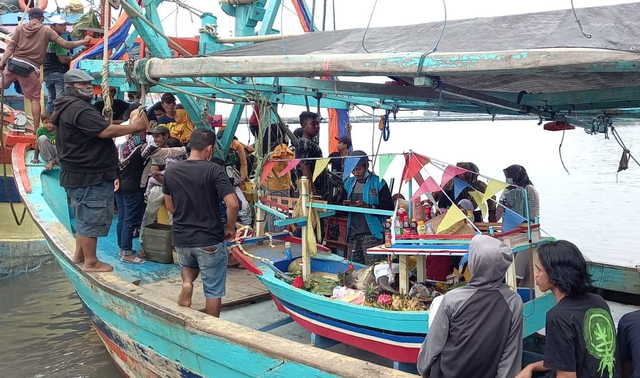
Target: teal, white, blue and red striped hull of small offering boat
(390,334)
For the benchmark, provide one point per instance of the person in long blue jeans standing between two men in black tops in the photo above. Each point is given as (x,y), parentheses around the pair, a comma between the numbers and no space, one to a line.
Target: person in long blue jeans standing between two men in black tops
(135,154)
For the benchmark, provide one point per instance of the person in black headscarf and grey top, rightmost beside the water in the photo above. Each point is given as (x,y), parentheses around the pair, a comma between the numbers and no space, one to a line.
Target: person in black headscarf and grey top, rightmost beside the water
(513,197)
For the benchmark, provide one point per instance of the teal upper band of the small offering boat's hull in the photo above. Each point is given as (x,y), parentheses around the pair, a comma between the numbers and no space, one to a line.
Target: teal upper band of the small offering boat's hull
(394,321)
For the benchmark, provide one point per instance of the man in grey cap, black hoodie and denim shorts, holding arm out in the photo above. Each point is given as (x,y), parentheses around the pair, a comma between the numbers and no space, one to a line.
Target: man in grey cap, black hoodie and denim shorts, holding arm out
(88,164)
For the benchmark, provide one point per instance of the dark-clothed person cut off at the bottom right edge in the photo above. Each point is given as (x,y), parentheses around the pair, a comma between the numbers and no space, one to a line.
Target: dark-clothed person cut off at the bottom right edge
(629,344)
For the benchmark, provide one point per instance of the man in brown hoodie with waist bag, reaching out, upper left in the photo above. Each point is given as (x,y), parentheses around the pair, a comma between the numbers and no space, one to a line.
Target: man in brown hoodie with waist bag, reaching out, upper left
(25,54)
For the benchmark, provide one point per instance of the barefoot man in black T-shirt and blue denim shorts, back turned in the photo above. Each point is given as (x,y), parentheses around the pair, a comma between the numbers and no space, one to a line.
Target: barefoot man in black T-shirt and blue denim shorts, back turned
(192,190)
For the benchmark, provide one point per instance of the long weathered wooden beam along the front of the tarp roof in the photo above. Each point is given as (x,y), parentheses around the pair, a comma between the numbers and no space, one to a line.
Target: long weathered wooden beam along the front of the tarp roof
(393,64)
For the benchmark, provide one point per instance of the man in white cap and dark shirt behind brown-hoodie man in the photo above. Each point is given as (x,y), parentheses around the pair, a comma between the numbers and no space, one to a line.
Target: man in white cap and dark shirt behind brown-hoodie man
(56,63)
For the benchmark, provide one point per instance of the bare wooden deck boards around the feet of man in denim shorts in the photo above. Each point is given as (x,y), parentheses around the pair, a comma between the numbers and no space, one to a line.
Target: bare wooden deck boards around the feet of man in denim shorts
(242,287)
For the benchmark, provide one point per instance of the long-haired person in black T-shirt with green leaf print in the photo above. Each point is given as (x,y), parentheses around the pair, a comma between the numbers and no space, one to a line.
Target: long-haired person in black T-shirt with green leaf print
(580,334)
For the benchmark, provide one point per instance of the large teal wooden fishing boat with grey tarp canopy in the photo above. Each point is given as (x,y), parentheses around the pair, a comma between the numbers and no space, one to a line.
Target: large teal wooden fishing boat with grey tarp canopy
(478,68)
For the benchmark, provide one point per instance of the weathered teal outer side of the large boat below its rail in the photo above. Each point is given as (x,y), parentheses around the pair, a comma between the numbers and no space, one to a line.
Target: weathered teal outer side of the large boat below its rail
(199,352)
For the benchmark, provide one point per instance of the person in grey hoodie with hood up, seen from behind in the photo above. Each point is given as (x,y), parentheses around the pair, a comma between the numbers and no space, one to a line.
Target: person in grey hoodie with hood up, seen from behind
(477,330)
